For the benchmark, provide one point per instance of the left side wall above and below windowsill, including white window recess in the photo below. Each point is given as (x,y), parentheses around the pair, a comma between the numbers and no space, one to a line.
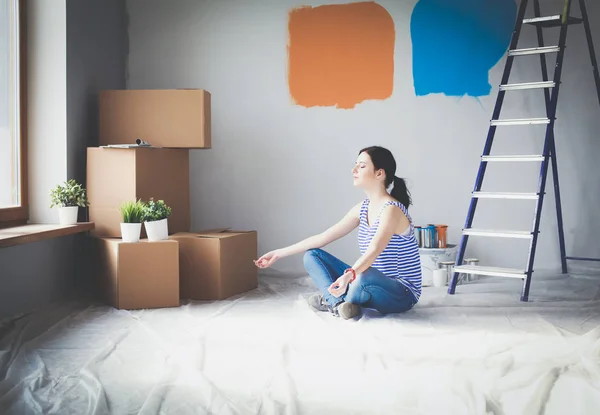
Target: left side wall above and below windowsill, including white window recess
(90,57)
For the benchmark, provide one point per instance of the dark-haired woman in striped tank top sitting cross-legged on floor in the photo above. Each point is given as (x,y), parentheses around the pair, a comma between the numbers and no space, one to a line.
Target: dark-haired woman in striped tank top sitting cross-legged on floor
(387,276)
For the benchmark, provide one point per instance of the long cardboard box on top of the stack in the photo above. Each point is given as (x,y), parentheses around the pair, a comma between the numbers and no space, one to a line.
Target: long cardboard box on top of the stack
(175,118)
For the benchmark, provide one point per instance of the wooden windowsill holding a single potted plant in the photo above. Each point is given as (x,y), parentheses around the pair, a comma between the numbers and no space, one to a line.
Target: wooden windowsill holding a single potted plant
(35,232)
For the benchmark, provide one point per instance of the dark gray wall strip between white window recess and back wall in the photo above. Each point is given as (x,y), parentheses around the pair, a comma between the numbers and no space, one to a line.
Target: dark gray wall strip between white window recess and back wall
(96,54)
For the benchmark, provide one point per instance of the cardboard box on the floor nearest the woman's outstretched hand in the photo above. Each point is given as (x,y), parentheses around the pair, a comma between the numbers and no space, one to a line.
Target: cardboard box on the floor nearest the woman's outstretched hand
(214,265)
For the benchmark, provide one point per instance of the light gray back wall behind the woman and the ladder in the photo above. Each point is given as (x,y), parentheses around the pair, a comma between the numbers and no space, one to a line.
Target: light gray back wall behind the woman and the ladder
(285,170)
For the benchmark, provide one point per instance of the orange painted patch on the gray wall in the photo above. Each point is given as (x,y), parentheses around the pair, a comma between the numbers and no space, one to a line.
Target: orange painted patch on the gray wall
(340,55)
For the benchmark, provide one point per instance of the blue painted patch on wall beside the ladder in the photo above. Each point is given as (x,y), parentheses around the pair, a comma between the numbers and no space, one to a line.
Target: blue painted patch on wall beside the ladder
(456,42)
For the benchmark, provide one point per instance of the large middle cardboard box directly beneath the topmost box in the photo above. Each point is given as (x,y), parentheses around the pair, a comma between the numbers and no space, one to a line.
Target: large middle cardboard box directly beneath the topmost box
(116,175)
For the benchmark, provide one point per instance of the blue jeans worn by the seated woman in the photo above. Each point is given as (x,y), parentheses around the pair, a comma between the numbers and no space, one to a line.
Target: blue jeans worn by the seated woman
(371,289)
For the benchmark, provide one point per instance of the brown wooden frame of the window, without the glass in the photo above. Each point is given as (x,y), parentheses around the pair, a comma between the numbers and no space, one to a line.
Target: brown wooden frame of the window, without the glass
(15,216)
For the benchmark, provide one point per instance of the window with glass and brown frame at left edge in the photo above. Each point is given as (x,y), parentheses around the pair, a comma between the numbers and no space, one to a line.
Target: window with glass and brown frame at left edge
(13,151)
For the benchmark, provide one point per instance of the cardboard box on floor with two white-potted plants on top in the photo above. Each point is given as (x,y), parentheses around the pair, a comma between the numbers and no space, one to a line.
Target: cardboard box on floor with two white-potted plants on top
(138,275)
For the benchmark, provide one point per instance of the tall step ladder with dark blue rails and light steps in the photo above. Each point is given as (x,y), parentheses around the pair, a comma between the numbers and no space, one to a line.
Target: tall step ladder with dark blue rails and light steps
(551,90)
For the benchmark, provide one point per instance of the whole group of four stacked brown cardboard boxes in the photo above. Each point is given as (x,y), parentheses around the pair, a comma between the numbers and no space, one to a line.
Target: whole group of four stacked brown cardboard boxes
(209,265)
